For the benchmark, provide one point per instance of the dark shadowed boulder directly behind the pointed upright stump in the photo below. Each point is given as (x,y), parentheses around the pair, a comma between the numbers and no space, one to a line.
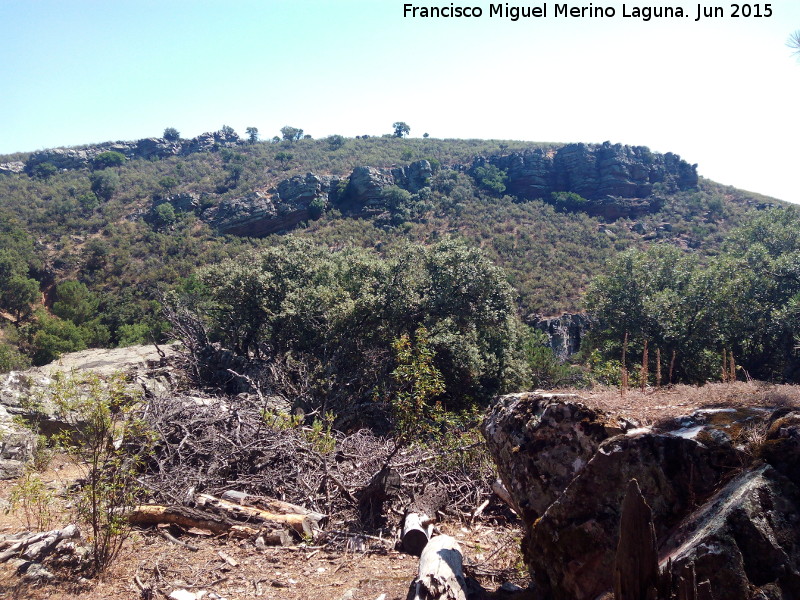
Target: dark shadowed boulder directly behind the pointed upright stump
(570,549)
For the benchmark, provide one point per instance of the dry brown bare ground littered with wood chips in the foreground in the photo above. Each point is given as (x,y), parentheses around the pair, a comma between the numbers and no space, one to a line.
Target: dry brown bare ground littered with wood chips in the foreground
(337,566)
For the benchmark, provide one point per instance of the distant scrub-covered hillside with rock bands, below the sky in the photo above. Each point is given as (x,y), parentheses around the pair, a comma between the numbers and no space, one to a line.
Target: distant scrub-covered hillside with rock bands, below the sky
(127,218)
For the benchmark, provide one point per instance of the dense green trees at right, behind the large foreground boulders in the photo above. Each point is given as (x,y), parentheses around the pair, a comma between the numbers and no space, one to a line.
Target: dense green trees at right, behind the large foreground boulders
(739,307)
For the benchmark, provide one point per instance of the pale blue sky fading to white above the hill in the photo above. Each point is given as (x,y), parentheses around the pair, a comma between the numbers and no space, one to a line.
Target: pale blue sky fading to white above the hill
(720,92)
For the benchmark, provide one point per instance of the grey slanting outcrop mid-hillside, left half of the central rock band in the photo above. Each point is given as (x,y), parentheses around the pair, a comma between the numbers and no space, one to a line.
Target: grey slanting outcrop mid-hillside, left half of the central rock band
(261,213)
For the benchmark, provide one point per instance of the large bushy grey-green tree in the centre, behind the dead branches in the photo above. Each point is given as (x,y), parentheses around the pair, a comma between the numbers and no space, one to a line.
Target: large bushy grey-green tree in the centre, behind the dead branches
(333,328)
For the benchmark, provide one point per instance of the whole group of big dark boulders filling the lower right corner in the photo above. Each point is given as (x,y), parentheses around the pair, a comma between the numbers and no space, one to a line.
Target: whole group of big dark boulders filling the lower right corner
(567,468)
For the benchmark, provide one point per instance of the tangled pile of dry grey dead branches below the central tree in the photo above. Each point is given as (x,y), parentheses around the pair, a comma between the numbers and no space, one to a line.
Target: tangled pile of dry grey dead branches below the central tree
(361,479)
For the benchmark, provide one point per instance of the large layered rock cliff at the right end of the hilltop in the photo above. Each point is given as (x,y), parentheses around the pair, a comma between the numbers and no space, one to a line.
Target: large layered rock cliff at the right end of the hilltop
(617,180)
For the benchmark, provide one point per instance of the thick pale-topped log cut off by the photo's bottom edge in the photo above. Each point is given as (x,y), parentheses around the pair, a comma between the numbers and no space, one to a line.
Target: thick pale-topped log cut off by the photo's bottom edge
(440,575)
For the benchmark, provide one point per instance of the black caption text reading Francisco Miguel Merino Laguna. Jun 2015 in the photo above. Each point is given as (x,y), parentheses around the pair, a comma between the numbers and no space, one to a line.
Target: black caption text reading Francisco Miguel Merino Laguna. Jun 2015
(514,13)
